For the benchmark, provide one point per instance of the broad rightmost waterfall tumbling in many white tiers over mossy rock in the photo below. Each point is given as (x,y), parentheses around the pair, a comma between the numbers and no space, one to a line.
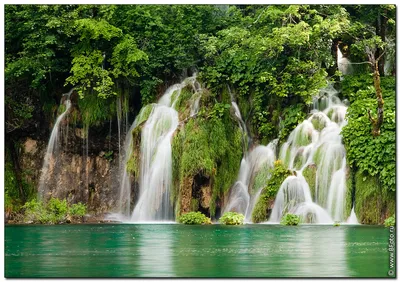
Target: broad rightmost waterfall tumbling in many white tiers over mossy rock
(316,142)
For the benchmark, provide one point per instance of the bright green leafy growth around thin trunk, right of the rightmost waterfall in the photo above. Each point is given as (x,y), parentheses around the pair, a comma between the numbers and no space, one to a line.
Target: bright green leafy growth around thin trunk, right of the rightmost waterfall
(373,155)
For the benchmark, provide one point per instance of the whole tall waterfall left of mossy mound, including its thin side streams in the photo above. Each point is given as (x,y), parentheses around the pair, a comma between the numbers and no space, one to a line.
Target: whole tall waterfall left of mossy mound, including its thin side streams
(155,157)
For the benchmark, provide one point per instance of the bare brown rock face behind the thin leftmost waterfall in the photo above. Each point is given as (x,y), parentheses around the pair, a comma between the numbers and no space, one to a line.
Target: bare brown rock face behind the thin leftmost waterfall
(91,179)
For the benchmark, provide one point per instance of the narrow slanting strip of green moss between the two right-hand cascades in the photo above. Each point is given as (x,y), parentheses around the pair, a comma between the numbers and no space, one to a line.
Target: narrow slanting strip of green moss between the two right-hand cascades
(278,175)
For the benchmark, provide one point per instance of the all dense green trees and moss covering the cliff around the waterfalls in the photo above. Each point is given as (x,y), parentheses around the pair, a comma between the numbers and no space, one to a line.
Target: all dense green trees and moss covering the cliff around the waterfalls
(271,58)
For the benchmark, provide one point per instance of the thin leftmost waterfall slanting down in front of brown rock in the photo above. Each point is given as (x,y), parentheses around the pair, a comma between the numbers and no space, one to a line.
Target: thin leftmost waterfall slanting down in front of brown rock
(50,157)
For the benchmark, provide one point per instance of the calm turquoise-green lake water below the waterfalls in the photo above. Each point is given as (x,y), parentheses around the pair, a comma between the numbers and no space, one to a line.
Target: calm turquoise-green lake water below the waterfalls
(172,250)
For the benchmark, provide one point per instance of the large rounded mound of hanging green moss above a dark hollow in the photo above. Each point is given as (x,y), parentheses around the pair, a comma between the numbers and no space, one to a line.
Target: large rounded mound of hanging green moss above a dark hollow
(208,146)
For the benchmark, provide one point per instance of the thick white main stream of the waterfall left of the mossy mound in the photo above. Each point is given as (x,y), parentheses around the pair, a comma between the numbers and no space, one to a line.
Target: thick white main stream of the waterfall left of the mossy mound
(155,182)
